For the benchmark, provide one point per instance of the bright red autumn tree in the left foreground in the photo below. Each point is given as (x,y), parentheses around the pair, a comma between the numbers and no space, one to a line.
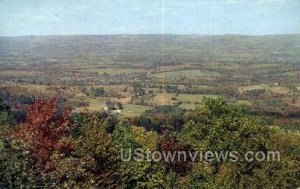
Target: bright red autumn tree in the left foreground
(44,128)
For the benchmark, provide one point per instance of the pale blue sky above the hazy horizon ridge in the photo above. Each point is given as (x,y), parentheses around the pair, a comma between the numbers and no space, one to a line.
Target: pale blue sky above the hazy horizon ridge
(213,17)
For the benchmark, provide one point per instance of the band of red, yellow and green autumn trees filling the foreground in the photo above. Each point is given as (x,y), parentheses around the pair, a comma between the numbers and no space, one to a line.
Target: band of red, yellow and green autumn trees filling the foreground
(54,148)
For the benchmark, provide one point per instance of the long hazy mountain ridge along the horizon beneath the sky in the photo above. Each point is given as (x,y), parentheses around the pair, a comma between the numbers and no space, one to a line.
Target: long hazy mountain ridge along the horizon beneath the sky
(155,49)
